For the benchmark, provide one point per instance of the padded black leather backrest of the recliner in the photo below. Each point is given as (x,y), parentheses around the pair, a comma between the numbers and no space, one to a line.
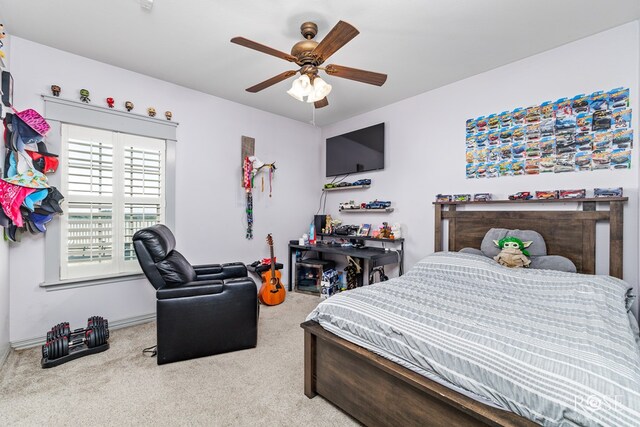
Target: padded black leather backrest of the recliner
(160,262)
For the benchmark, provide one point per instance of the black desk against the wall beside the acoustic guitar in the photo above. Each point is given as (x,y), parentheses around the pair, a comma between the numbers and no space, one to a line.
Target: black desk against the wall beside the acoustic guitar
(373,257)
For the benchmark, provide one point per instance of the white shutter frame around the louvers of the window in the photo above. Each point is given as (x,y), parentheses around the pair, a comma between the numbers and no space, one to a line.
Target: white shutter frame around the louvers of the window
(117,199)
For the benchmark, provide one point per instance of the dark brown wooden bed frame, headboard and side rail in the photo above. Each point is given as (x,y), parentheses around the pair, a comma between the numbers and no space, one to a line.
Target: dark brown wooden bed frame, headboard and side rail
(378,392)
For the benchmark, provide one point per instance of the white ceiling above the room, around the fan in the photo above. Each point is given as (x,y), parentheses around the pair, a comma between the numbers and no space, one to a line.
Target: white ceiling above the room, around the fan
(420,44)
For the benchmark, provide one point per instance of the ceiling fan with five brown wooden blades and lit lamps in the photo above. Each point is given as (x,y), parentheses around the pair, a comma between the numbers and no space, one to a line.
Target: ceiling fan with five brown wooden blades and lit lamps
(309,54)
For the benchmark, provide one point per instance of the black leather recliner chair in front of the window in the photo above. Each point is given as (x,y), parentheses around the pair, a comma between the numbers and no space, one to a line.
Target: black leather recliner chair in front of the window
(201,310)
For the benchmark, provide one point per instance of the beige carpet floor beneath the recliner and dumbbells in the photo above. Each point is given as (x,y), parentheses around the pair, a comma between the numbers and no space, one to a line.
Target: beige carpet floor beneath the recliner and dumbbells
(261,386)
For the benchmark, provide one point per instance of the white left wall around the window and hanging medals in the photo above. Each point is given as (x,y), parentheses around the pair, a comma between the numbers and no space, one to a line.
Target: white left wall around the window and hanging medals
(210,201)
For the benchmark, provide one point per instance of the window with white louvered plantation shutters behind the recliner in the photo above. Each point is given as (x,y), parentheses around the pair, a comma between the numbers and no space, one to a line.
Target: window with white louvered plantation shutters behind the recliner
(114,185)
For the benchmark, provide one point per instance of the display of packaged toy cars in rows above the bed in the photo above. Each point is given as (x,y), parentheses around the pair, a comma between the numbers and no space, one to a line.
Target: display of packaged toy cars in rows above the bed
(582,133)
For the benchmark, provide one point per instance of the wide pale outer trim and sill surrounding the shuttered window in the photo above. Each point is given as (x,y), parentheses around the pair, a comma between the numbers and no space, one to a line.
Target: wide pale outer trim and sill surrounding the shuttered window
(59,111)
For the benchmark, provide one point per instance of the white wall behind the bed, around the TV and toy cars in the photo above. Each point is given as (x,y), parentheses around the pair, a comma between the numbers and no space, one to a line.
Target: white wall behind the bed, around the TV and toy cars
(425,145)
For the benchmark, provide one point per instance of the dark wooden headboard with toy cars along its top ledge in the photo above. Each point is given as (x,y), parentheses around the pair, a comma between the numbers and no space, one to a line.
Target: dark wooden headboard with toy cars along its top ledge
(568,233)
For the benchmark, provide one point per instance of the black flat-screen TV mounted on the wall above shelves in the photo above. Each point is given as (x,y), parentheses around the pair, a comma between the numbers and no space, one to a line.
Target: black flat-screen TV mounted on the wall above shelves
(358,151)
